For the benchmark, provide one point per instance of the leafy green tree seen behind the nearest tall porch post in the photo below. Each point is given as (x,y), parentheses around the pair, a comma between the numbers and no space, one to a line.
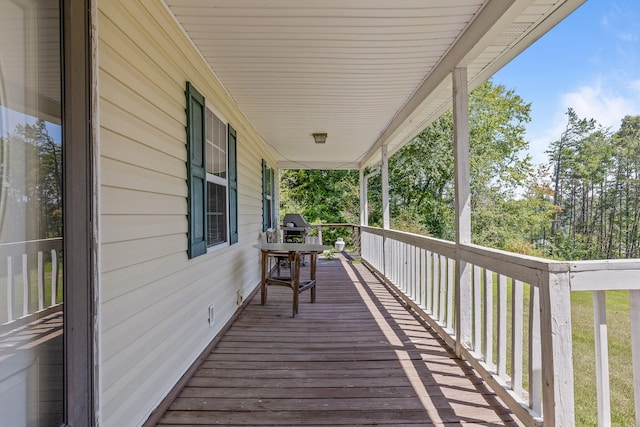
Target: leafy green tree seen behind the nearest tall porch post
(422,172)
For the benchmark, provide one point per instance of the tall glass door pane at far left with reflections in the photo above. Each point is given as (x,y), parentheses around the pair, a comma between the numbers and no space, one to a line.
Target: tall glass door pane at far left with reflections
(31,345)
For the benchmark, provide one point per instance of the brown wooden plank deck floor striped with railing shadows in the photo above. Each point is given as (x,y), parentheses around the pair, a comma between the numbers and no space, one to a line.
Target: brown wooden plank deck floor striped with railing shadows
(356,357)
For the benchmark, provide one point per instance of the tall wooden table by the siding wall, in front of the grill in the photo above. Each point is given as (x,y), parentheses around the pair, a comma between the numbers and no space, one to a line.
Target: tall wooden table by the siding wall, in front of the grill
(293,253)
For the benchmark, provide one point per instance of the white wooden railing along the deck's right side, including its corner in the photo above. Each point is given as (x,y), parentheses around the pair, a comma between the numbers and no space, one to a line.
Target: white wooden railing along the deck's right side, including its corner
(521,345)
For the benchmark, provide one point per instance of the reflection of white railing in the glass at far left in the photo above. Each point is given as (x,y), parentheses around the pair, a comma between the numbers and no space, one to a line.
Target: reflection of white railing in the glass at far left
(25,292)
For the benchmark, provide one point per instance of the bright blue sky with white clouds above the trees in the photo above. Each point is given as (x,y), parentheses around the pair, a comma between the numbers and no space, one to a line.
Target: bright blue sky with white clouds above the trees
(590,62)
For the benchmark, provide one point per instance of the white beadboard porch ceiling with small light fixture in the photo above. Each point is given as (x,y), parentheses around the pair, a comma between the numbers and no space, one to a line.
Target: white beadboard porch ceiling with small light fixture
(366,72)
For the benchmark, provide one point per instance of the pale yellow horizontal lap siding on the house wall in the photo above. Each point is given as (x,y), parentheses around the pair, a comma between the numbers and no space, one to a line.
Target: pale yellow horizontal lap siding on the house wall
(154,300)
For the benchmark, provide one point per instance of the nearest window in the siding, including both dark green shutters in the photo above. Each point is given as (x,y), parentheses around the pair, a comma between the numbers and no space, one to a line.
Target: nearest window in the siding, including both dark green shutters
(212,177)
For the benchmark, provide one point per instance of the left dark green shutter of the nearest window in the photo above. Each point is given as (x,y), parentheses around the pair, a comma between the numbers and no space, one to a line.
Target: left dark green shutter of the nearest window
(196,173)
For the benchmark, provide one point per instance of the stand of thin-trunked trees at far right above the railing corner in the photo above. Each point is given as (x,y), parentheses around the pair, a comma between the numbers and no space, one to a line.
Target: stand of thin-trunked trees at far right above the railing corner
(596,190)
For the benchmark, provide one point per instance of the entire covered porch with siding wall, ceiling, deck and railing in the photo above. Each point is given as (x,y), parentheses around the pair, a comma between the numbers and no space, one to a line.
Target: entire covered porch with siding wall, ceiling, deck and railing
(420,331)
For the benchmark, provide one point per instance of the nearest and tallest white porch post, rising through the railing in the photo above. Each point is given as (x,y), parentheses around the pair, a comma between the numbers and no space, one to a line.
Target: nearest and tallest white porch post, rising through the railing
(463,206)
